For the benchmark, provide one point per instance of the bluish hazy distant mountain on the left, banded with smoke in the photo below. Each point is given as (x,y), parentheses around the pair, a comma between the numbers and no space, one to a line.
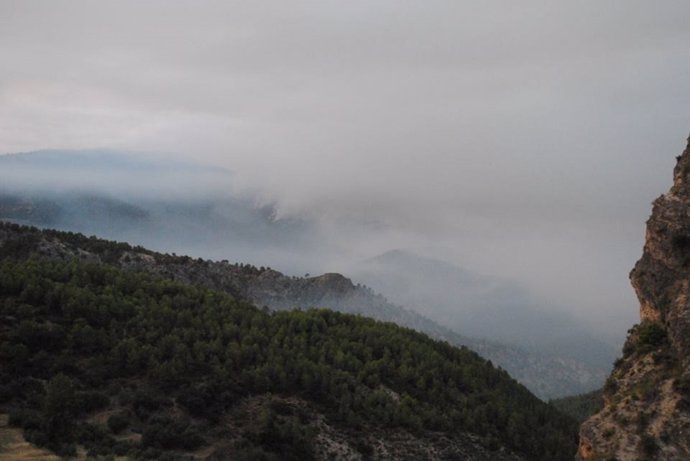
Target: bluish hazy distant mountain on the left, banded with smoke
(137,197)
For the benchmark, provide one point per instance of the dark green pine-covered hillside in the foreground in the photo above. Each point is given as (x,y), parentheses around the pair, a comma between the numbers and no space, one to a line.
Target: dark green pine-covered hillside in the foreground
(100,354)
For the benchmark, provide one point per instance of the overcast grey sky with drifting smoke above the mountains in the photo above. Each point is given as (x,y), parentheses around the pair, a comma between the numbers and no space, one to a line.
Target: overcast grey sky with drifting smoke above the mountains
(519,139)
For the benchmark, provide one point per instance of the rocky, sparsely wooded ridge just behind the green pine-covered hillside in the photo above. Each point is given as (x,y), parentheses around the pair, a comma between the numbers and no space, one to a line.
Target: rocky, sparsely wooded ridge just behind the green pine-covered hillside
(547,377)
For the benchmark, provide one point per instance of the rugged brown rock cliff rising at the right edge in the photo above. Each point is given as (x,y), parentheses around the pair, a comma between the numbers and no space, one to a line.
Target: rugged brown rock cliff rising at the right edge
(647,398)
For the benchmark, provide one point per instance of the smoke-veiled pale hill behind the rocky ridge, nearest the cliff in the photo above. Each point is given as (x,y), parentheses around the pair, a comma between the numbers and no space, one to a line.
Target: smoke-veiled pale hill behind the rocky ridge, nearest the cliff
(489,307)
